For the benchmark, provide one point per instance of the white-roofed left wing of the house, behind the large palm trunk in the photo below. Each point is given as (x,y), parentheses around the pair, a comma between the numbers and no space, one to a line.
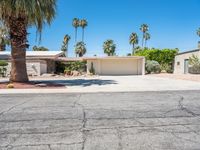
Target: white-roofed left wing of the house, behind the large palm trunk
(38,62)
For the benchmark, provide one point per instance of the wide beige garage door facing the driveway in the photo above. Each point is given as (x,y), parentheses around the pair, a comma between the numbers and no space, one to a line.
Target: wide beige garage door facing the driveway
(119,67)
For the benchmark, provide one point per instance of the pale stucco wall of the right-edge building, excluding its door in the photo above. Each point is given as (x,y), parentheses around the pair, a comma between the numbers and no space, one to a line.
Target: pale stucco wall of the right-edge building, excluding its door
(180,60)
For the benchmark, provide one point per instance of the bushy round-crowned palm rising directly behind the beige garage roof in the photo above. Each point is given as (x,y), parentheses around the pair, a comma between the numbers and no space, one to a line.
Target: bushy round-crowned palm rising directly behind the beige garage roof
(109,47)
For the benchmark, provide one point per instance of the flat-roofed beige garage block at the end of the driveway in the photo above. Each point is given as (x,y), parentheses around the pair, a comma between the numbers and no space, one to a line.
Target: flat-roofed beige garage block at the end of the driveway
(130,65)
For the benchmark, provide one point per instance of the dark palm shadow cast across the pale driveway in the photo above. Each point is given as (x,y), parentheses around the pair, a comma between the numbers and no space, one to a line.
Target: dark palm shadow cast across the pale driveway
(80,82)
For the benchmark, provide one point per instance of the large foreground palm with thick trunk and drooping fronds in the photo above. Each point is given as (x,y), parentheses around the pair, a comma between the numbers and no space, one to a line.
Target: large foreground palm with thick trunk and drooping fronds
(18,15)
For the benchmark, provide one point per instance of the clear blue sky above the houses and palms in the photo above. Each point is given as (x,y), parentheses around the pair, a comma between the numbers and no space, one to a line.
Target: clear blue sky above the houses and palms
(172,23)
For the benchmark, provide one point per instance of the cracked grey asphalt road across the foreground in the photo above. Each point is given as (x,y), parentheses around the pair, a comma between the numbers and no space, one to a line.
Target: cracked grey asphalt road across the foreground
(101,121)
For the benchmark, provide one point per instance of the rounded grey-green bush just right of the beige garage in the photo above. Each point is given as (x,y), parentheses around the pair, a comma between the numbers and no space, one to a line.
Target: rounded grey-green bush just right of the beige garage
(152,66)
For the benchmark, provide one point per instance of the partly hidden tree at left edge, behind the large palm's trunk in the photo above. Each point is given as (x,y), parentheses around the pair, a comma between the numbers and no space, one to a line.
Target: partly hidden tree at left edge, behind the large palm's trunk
(4,37)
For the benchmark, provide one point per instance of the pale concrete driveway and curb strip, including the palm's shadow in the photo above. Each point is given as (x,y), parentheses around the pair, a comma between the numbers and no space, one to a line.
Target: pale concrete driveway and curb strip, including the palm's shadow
(112,84)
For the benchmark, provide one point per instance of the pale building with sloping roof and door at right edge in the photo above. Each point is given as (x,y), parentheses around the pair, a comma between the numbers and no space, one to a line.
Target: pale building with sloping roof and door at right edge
(181,65)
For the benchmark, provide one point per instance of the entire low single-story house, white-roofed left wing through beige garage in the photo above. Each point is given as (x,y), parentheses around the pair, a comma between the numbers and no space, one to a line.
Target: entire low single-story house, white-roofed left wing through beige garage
(40,62)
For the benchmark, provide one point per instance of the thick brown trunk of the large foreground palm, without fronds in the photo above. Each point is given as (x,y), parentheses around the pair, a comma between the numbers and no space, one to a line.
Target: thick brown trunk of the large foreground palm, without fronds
(18,35)
